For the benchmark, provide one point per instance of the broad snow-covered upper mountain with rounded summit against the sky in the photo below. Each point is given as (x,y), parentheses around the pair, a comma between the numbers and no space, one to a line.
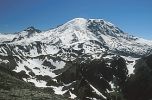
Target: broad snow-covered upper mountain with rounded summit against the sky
(92,35)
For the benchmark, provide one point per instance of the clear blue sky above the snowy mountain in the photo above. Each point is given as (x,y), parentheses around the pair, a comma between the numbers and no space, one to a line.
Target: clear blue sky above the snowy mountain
(132,16)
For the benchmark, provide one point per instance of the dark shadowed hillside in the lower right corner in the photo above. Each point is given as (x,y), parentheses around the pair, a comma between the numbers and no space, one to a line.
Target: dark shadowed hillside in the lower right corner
(139,85)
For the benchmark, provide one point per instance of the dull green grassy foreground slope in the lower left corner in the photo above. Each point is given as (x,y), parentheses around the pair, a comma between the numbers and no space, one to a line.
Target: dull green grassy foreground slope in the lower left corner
(12,88)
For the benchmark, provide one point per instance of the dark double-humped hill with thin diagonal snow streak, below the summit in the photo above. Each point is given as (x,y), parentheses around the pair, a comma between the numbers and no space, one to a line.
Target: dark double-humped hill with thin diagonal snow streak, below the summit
(98,73)
